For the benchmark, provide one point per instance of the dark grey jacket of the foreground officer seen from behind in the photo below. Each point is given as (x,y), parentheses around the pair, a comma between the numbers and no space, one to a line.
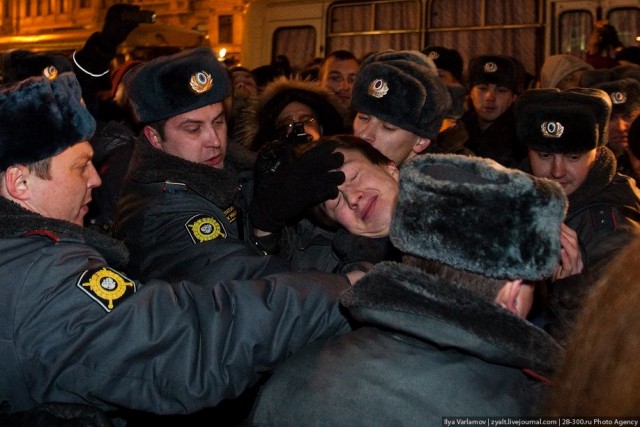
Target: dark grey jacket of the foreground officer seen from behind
(424,349)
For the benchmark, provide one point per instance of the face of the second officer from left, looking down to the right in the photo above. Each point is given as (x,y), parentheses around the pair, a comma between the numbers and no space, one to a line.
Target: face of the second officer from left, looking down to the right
(199,136)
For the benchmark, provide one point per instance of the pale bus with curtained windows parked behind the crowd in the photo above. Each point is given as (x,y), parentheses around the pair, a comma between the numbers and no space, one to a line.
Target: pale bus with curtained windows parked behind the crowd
(527,29)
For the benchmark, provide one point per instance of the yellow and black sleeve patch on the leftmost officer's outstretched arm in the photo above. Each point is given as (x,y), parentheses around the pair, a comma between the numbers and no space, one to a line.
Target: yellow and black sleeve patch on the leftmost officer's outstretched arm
(106,286)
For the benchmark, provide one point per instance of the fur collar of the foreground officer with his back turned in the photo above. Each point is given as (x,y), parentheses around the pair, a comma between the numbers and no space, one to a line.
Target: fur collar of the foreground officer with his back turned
(399,297)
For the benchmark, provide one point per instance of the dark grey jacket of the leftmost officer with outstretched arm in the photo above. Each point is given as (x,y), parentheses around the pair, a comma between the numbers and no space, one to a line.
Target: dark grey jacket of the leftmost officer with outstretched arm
(73,329)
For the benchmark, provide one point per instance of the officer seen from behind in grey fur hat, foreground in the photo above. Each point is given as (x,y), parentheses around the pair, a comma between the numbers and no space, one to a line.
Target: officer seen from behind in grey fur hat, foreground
(443,333)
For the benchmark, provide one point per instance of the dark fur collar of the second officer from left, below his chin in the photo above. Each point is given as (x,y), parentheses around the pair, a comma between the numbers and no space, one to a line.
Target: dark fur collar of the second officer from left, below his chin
(150,165)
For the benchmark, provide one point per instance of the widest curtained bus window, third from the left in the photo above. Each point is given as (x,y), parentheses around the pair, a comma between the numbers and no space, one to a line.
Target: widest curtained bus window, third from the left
(476,27)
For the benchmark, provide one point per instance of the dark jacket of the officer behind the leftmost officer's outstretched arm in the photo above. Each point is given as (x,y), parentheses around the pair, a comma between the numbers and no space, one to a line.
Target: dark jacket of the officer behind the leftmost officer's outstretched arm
(183,219)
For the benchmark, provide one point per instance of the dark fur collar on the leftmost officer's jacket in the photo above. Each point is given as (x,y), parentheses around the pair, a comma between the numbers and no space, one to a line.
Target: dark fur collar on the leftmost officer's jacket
(16,221)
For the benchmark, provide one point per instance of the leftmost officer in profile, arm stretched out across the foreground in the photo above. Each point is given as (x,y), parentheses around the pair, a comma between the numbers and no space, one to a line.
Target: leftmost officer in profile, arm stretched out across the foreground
(77,329)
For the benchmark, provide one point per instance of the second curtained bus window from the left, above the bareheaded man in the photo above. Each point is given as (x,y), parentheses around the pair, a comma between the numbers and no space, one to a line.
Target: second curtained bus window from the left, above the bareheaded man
(373,26)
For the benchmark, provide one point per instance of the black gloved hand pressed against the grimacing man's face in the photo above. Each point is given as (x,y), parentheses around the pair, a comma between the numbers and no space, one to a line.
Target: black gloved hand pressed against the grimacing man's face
(294,186)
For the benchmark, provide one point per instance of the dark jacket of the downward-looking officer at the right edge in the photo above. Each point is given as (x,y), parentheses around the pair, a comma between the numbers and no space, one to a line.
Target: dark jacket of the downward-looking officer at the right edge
(605,213)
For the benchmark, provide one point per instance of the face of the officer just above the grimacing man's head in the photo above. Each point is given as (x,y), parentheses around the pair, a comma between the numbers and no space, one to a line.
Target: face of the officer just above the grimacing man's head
(395,143)
